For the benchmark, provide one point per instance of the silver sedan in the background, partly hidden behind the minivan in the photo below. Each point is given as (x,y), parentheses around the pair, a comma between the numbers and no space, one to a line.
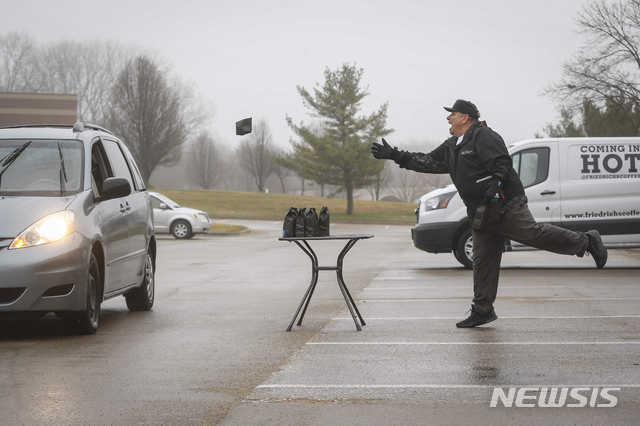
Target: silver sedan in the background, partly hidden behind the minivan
(181,222)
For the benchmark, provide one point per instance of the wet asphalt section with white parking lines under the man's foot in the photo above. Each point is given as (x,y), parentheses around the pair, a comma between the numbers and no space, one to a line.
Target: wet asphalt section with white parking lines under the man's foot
(562,324)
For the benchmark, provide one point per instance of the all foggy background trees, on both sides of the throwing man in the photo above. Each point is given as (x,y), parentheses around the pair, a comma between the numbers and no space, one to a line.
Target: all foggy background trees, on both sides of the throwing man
(166,123)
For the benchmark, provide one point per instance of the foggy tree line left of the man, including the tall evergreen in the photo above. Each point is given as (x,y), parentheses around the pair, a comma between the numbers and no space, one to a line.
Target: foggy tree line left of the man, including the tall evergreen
(166,124)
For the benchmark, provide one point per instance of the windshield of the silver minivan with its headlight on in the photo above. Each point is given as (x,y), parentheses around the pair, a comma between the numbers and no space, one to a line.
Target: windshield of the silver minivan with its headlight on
(49,168)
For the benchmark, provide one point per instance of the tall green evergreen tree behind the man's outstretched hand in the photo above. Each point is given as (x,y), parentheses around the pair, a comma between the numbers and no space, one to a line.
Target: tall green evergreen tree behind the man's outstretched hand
(338,152)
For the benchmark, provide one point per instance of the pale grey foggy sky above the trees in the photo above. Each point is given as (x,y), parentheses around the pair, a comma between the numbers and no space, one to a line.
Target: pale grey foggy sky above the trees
(246,57)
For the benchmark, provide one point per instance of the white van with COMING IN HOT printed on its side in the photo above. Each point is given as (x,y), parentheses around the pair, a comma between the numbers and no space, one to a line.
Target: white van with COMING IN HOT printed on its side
(576,183)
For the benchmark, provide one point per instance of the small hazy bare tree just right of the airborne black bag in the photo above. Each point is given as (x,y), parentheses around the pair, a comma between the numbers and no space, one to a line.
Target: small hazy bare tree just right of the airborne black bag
(255,154)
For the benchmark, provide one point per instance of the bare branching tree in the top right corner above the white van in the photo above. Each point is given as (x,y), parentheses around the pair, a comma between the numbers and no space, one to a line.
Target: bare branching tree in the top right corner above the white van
(607,68)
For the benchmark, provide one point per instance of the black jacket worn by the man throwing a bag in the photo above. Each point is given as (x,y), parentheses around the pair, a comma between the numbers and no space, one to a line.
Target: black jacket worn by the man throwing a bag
(481,153)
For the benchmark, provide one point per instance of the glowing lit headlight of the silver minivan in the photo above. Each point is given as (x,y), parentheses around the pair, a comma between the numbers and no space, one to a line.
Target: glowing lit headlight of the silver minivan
(49,229)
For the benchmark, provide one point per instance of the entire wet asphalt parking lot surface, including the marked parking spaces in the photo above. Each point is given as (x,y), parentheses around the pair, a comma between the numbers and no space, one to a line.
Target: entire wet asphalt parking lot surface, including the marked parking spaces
(214,349)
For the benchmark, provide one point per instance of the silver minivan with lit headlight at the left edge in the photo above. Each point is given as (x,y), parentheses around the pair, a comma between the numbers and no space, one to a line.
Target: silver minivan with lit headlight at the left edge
(76,224)
